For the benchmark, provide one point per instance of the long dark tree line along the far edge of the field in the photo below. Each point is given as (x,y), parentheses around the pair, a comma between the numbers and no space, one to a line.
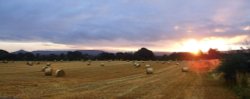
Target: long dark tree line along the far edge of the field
(141,54)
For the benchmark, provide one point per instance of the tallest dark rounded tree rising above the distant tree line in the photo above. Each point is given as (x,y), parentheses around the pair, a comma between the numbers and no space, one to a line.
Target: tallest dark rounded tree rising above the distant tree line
(144,54)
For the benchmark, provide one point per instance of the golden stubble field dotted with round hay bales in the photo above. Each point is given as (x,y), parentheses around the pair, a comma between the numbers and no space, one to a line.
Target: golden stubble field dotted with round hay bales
(117,79)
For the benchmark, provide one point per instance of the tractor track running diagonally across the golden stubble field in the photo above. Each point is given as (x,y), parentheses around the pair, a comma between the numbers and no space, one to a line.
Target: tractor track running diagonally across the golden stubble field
(101,85)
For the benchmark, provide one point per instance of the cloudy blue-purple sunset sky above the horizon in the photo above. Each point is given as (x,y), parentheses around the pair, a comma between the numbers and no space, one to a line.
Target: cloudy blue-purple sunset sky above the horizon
(124,25)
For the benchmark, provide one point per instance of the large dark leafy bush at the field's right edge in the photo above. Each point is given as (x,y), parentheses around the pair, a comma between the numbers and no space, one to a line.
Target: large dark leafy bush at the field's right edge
(235,67)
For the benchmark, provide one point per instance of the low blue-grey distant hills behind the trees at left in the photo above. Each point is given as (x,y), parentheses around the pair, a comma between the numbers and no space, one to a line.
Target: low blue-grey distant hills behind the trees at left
(58,52)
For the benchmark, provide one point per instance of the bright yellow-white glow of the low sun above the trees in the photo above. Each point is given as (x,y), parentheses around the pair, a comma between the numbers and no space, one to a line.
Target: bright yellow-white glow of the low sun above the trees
(222,44)
